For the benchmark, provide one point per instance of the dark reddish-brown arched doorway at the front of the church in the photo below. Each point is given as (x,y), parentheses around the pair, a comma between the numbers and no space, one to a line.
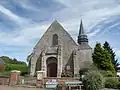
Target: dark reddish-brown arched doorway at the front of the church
(52,67)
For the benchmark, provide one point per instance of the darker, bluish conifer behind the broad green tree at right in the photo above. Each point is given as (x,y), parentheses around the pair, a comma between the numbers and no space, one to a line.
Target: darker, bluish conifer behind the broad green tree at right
(114,61)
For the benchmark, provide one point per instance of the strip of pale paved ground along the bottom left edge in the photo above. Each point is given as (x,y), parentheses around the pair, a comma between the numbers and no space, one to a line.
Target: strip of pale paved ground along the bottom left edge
(18,88)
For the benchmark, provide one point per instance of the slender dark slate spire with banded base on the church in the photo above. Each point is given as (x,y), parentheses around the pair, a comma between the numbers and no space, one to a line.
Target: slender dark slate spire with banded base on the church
(82,37)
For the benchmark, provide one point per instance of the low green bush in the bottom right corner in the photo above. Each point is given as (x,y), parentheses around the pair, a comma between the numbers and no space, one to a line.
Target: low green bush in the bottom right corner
(112,82)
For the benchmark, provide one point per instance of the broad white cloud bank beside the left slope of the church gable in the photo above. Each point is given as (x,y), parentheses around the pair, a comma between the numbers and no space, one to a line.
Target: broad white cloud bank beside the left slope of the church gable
(23,37)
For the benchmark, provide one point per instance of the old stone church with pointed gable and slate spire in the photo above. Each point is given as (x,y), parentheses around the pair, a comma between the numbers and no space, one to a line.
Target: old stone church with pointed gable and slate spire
(57,53)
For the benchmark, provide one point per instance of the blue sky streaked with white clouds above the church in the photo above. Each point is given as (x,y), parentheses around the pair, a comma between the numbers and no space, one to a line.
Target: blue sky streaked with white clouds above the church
(23,22)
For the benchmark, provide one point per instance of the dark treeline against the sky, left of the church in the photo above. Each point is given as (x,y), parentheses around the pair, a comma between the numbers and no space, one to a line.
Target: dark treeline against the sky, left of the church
(8,60)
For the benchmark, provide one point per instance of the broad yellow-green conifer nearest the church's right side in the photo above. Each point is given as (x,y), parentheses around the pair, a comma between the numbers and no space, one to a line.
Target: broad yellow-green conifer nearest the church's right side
(102,59)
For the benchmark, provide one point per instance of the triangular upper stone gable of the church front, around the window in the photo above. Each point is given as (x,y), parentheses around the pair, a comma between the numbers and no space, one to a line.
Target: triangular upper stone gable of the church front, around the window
(54,29)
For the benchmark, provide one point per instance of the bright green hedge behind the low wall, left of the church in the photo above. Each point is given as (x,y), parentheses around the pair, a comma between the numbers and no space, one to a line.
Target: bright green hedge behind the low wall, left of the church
(22,68)
